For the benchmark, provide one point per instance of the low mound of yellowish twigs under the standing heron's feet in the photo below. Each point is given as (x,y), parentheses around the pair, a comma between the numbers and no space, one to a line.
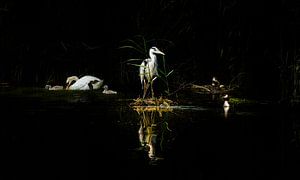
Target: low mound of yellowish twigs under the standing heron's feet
(152,102)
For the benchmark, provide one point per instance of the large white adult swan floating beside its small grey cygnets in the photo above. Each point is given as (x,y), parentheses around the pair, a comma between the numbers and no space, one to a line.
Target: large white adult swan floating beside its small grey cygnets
(84,83)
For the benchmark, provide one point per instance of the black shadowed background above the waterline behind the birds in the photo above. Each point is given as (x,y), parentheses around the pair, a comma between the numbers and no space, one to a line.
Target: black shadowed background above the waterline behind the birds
(254,42)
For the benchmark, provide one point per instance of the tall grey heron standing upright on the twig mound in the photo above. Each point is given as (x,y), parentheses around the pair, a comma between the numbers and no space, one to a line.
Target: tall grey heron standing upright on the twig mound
(148,68)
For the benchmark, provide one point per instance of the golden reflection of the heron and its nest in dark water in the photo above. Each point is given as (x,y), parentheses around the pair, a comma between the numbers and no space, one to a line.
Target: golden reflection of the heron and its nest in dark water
(153,131)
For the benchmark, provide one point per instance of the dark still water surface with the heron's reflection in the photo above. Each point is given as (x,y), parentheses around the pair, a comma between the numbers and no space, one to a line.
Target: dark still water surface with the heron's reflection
(87,135)
